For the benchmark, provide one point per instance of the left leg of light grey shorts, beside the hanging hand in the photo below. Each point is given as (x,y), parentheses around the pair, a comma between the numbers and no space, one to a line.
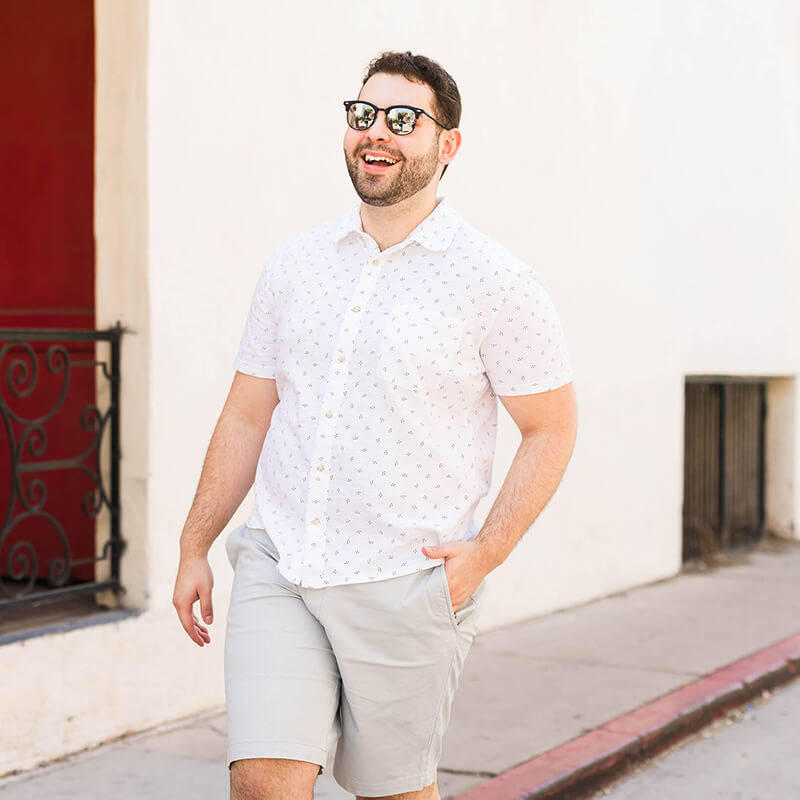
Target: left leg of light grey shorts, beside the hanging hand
(282,683)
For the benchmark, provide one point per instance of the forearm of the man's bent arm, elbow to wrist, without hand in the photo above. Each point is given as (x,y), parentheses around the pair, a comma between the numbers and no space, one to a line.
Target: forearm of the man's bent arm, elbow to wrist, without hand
(532,478)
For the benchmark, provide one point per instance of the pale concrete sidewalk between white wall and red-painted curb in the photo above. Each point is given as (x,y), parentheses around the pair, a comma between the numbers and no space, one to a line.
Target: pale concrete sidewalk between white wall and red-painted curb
(526,689)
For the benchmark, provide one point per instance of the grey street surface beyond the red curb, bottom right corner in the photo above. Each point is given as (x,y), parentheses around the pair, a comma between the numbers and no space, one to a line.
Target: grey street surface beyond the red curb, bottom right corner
(749,754)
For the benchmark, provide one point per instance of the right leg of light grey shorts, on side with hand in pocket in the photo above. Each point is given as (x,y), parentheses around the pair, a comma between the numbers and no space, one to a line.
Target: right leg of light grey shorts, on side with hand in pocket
(400,650)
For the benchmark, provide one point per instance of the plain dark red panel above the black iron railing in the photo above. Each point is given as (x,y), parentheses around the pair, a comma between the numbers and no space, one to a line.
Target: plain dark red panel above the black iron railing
(47,163)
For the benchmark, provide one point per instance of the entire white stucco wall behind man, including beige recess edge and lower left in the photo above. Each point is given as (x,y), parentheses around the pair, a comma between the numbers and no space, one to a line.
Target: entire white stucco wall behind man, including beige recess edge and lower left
(644,161)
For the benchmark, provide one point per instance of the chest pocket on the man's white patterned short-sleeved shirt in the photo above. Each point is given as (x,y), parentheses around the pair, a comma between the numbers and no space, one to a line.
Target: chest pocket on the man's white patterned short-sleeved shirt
(418,346)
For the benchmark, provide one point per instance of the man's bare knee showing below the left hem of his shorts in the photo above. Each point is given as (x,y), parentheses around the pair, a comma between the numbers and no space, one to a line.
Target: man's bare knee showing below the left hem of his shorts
(273,779)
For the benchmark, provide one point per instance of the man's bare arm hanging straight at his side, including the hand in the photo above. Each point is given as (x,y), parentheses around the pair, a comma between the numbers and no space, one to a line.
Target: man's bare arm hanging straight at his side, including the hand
(228,473)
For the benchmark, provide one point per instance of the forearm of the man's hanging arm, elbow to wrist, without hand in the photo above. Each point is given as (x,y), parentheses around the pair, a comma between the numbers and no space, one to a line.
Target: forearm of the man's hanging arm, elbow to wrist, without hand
(228,473)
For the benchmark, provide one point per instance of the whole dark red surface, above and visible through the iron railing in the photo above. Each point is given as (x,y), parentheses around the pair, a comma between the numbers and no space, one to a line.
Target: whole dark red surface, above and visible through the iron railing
(47,248)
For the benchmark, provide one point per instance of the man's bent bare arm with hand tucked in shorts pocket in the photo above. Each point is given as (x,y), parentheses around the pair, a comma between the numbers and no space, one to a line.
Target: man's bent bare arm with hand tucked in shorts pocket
(548,422)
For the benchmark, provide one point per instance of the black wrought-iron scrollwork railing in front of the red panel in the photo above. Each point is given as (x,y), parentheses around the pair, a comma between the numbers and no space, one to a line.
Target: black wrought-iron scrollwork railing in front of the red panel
(29,467)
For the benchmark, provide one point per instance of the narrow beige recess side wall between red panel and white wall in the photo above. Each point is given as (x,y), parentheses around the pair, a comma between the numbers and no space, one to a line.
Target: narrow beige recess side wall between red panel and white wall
(122,285)
